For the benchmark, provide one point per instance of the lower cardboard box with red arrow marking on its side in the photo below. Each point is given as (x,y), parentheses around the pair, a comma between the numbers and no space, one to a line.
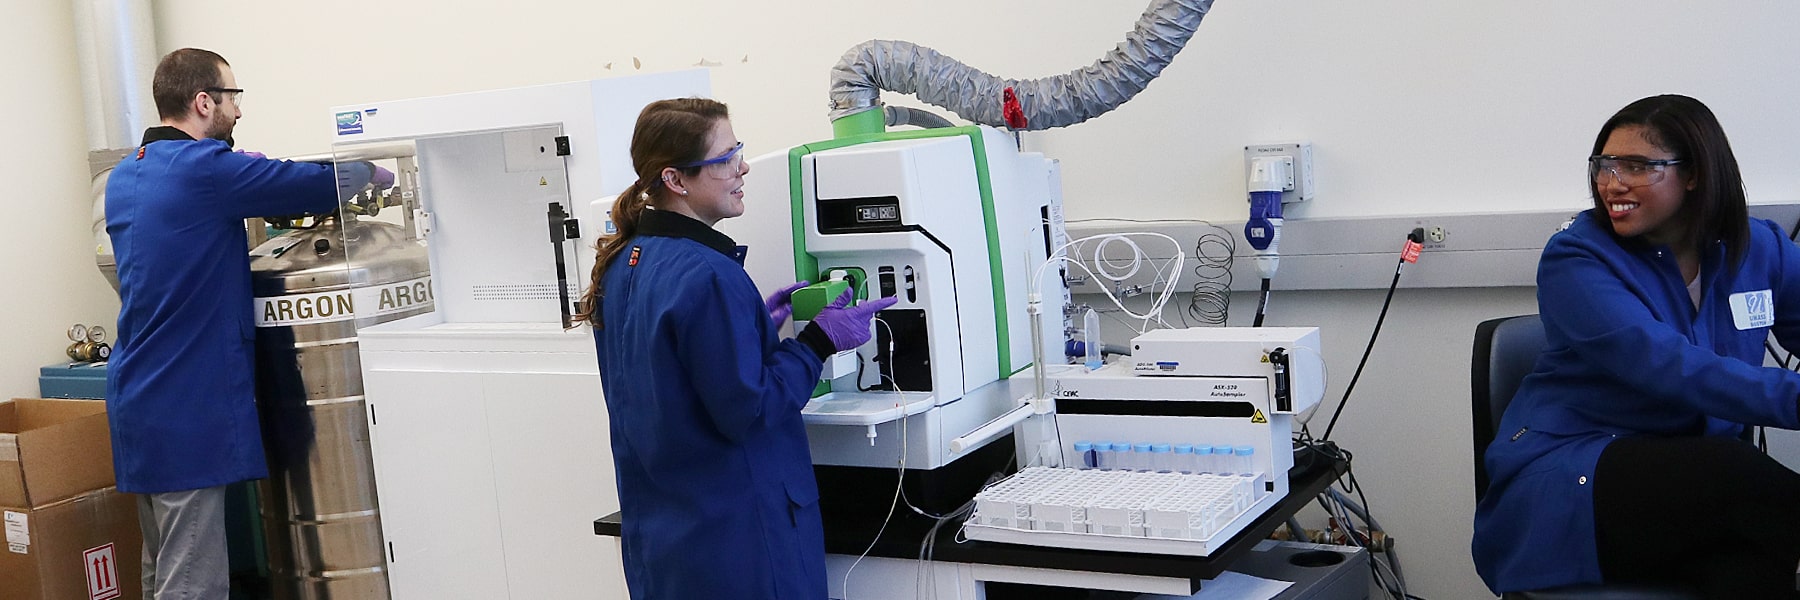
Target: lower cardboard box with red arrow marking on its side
(87,547)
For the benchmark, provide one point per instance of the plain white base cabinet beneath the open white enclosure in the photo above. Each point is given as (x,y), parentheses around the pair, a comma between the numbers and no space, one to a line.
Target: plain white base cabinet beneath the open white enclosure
(492,460)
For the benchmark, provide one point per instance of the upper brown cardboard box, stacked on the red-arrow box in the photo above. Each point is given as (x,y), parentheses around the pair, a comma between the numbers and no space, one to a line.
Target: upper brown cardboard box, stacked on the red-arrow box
(53,451)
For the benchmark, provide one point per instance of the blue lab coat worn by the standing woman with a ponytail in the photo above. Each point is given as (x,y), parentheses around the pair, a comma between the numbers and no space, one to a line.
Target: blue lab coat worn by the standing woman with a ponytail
(715,480)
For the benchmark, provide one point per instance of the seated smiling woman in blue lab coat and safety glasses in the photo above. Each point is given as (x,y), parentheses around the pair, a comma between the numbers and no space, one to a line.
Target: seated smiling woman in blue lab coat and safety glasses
(1624,455)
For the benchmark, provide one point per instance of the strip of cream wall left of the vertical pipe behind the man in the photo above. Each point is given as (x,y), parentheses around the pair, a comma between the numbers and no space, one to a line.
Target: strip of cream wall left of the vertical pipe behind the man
(48,255)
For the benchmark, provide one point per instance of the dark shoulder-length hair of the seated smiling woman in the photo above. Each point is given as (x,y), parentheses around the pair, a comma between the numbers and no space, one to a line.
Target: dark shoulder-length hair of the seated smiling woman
(1714,210)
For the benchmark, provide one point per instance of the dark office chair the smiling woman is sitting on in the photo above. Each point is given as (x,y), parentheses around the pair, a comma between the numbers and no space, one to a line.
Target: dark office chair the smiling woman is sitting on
(1504,354)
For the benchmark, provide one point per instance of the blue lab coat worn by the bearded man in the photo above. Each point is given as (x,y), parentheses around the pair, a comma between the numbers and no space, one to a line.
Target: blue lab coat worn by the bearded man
(181,390)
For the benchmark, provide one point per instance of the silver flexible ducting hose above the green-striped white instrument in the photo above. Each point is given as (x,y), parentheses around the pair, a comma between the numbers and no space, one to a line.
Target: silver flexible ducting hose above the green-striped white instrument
(1048,102)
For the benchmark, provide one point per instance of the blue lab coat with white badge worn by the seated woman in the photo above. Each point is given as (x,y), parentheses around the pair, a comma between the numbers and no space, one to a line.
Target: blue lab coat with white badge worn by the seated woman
(1630,356)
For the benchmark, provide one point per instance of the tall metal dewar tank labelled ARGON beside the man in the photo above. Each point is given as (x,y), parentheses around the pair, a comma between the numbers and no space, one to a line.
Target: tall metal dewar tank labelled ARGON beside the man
(319,505)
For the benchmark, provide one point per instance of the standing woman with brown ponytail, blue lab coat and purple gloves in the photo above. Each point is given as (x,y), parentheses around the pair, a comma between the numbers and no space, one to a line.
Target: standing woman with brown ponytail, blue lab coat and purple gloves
(715,480)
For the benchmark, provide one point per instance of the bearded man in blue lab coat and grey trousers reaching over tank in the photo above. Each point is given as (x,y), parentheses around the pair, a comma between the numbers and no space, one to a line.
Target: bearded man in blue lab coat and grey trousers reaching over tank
(181,390)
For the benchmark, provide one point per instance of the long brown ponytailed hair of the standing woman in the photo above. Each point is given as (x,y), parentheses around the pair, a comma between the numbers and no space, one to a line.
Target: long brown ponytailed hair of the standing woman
(669,132)
